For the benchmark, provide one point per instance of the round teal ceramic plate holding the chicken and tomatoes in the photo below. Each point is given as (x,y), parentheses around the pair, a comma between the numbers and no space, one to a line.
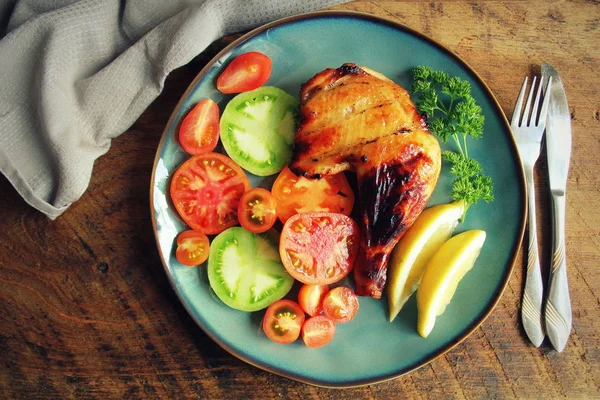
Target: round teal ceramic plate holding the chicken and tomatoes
(369,349)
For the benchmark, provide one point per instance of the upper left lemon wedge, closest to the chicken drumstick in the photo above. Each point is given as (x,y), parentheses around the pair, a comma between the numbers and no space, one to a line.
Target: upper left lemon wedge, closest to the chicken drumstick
(408,260)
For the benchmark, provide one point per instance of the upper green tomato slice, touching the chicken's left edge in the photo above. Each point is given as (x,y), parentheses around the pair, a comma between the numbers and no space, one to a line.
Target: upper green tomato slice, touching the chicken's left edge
(258,129)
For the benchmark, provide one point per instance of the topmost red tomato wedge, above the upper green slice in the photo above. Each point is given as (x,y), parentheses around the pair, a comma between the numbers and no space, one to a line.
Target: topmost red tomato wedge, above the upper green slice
(246,72)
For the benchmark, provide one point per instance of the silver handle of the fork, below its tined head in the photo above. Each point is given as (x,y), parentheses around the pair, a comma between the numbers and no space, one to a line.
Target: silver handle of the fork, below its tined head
(531,305)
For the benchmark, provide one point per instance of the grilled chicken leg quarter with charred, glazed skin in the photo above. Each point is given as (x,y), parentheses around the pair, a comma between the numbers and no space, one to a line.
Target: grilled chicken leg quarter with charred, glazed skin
(352,118)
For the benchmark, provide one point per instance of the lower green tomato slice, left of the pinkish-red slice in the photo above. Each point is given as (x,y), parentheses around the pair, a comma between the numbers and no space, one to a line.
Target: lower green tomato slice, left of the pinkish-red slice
(245,269)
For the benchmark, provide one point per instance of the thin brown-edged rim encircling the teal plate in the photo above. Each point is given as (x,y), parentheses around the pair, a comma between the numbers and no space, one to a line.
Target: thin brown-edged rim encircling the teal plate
(487,91)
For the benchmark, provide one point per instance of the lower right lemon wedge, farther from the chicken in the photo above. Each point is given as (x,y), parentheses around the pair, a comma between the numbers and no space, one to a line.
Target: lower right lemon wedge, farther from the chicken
(442,274)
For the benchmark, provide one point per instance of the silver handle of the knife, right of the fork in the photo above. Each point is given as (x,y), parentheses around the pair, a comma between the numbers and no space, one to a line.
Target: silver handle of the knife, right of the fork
(558,304)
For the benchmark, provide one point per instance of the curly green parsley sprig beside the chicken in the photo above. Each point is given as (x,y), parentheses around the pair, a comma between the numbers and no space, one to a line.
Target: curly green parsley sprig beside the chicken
(453,113)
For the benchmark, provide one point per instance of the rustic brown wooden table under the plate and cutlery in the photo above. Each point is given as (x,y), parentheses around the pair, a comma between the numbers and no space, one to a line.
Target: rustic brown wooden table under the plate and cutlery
(87,311)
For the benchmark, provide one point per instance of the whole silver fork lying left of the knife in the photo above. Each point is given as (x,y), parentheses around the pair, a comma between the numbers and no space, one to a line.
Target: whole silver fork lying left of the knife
(528,129)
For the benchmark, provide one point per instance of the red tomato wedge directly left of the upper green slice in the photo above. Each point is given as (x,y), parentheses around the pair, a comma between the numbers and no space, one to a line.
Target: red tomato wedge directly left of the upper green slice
(199,130)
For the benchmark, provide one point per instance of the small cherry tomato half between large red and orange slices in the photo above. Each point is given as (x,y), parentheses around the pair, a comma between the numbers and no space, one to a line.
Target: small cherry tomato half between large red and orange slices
(257,210)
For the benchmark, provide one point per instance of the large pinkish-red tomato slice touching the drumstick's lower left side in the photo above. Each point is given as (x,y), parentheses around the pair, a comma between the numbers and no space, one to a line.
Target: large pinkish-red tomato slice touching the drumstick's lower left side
(319,248)
